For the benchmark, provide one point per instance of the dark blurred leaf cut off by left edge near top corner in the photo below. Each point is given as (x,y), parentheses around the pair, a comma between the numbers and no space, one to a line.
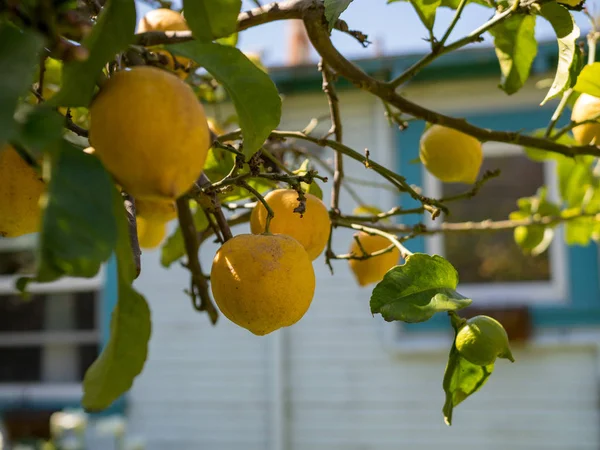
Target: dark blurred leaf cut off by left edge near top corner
(19,51)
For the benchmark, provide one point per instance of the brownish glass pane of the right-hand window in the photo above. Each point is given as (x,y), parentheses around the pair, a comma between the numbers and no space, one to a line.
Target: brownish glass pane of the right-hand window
(494,257)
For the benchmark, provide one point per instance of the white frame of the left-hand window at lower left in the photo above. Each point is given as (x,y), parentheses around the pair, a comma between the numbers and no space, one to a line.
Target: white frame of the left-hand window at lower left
(43,391)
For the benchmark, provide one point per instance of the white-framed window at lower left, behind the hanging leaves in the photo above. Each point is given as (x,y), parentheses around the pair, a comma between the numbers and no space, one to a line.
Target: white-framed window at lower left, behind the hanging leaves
(47,341)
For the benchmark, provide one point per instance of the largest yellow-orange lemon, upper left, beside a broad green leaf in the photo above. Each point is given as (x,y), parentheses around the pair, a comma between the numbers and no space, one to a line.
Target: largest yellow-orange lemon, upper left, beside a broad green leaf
(150,131)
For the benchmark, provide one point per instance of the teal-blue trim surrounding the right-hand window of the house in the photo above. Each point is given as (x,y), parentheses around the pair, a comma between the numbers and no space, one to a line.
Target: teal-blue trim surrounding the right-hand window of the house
(583,302)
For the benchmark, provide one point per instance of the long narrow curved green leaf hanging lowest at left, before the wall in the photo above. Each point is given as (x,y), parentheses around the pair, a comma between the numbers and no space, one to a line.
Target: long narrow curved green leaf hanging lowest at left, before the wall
(124,356)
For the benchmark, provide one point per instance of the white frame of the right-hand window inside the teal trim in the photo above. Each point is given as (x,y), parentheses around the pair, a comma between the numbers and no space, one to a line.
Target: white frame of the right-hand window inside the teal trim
(552,292)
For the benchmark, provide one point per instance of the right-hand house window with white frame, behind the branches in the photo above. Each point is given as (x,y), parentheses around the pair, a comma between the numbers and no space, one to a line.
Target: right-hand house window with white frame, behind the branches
(491,266)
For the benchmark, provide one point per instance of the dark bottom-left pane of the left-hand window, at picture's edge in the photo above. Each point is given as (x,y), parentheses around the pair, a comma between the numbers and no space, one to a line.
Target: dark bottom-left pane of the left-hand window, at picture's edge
(20,364)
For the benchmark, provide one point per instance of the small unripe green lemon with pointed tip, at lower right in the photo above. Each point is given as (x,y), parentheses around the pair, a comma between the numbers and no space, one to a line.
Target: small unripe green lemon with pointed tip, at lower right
(483,339)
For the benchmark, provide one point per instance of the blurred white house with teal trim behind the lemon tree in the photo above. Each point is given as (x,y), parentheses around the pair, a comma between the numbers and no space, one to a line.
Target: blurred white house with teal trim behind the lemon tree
(341,378)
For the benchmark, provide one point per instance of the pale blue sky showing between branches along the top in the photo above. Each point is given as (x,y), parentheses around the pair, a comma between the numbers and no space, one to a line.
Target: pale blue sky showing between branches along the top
(395,26)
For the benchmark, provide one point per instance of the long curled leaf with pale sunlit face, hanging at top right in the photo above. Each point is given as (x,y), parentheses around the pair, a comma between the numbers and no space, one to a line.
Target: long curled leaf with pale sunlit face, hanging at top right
(569,55)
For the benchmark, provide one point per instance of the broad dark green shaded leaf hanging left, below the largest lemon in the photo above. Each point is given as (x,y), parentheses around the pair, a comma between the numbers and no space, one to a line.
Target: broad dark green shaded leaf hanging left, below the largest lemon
(78,231)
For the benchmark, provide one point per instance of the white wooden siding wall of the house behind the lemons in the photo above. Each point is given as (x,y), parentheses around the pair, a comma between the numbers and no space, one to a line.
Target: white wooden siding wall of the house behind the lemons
(332,381)
